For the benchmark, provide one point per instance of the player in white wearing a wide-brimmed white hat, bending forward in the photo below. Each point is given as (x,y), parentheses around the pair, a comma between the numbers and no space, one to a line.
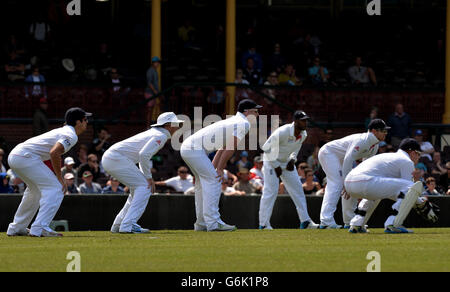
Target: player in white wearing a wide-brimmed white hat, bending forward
(120,161)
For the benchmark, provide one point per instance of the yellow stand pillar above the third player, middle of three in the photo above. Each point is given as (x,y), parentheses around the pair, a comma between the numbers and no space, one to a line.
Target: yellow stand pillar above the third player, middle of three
(230,55)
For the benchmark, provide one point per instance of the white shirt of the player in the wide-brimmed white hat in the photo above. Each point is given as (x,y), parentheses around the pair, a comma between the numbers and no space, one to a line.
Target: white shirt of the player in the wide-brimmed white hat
(141,147)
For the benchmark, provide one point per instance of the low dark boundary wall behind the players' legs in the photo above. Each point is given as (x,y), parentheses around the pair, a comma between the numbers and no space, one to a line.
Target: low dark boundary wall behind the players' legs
(97,212)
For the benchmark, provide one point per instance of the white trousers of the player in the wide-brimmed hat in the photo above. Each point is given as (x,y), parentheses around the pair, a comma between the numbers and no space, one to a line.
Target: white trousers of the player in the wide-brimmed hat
(125,170)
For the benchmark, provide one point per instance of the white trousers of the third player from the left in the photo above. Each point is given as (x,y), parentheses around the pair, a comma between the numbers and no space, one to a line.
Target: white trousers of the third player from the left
(207,188)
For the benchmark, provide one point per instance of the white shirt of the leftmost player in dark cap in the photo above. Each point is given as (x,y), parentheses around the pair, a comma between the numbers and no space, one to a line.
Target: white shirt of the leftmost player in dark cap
(42,144)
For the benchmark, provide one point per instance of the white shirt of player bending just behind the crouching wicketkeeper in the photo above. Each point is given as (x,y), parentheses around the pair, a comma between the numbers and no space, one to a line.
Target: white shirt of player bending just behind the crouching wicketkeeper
(352,148)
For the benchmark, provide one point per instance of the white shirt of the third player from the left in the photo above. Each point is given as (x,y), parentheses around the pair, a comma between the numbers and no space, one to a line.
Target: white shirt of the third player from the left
(216,136)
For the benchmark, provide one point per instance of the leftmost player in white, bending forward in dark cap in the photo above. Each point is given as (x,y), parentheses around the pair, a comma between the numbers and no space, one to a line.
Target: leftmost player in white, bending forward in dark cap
(45,189)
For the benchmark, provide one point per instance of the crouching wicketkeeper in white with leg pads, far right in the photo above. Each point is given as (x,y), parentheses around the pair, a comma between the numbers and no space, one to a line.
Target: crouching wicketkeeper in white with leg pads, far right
(386,176)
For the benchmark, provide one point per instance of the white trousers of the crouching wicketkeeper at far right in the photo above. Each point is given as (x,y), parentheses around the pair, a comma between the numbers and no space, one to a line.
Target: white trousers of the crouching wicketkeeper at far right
(372,191)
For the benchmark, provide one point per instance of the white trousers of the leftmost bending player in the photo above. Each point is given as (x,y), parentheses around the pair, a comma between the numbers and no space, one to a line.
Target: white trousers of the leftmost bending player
(43,192)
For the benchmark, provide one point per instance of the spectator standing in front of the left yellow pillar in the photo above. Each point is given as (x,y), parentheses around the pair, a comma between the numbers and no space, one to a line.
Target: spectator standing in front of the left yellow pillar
(152,89)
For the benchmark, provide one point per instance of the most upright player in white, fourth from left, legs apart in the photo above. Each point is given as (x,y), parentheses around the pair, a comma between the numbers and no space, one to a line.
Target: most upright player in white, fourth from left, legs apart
(280,154)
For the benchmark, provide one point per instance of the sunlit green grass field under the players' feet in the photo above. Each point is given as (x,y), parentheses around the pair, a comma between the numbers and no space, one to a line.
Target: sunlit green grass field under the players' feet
(240,251)
